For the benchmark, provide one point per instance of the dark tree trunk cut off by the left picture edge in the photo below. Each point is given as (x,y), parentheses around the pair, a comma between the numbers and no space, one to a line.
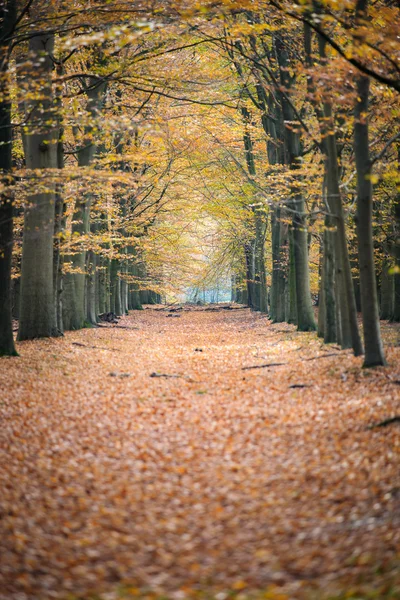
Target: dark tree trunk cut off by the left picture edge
(8,18)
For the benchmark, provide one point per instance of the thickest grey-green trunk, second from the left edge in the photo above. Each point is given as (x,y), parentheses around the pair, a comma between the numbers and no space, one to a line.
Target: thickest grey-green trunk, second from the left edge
(37,317)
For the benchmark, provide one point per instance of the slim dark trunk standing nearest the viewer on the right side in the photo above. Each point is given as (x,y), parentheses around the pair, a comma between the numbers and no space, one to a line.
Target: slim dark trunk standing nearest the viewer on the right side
(374,354)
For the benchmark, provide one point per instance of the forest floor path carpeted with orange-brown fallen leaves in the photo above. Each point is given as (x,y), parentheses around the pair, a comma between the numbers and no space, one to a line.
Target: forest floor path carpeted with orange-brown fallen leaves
(150,459)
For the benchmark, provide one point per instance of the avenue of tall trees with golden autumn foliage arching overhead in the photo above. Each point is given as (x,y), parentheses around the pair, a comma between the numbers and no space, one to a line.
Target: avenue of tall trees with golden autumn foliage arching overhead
(150,150)
